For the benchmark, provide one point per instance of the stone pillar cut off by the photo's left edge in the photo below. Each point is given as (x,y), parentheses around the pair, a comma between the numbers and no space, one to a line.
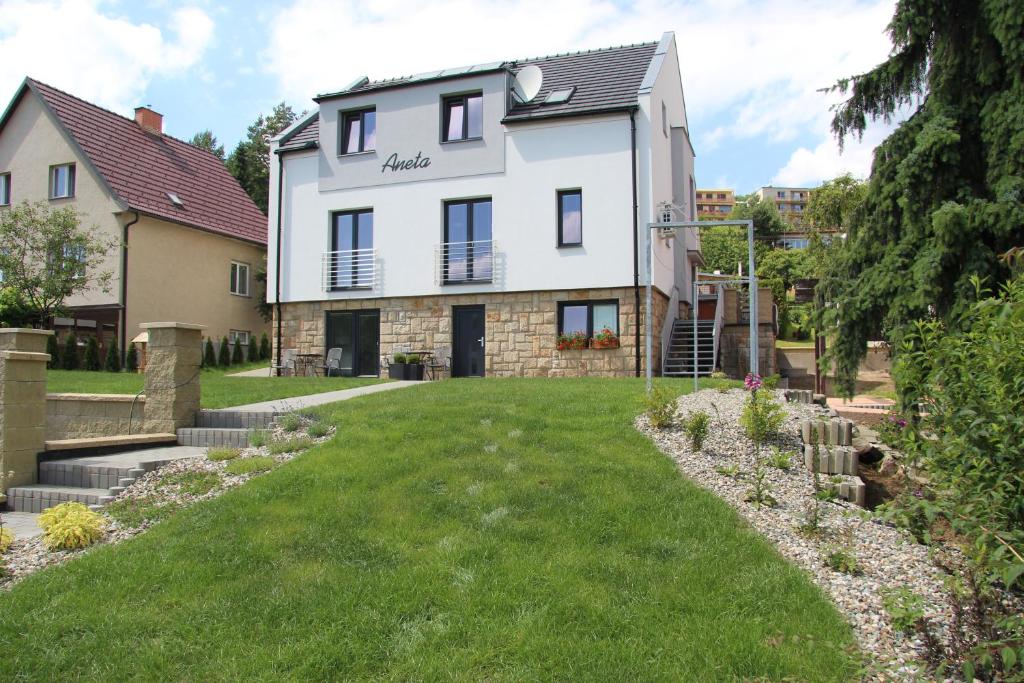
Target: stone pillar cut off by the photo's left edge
(23,403)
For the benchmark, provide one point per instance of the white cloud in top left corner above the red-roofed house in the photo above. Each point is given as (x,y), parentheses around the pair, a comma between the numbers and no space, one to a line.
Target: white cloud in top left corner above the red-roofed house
(79,47)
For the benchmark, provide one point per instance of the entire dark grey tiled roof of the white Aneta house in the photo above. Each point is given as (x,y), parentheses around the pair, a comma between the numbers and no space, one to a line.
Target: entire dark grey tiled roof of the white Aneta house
(605,80)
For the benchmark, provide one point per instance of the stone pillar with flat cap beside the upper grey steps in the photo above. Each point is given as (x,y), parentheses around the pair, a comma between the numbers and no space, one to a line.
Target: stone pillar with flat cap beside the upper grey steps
(174,358)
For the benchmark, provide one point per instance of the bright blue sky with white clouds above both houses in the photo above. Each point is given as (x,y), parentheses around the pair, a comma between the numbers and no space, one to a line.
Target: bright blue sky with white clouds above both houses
(751,70)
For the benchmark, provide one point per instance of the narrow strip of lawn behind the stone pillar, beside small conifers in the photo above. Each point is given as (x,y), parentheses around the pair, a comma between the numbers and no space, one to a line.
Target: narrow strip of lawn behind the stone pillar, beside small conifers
(219,391)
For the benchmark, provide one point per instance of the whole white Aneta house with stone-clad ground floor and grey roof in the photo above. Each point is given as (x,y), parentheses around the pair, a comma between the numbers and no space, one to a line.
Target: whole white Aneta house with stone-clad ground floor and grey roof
(443,214)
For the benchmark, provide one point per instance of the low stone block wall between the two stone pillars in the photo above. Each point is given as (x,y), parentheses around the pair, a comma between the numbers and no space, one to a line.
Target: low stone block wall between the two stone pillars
(90,415)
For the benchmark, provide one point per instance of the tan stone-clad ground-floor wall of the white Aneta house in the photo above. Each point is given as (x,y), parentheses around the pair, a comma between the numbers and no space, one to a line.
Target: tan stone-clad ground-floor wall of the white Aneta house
(521,332)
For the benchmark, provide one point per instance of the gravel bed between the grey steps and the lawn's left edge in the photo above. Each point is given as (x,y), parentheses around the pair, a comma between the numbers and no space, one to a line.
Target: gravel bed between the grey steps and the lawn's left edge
(29,556)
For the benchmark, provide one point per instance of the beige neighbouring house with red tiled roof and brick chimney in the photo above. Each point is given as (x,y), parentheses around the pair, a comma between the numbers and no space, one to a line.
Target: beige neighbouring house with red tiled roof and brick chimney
(191,238)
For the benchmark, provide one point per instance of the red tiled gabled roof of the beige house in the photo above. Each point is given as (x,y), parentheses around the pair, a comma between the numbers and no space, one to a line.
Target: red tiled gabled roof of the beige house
(141,168)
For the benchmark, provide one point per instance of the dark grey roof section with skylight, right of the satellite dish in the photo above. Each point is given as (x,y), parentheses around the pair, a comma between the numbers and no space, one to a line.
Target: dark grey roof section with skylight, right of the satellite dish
(606,80)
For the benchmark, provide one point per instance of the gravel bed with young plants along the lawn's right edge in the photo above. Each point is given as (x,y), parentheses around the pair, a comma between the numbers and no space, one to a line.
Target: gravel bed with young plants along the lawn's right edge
(887,558)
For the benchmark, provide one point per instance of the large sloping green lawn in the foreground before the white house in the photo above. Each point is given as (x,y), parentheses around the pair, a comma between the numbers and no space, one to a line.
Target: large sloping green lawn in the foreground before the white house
(465,530)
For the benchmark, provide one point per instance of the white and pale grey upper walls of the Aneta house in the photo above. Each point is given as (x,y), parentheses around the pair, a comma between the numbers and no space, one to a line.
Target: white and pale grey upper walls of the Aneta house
(521,166)
